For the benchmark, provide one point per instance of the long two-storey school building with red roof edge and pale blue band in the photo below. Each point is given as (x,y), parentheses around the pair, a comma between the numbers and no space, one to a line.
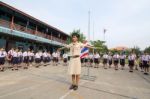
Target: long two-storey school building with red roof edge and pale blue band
(18,29)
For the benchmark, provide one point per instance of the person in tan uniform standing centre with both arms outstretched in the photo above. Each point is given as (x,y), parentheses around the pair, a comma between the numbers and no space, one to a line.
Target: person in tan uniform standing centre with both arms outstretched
(74,68)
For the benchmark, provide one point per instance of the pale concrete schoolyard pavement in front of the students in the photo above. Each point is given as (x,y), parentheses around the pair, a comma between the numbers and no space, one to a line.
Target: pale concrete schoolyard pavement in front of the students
(52,82)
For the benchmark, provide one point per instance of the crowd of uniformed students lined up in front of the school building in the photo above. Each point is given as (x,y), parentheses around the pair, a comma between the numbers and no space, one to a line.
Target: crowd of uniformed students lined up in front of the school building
(17,58)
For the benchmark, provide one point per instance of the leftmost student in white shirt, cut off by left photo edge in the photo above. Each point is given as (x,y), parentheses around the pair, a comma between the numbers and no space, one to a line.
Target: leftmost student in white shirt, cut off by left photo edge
(3,55)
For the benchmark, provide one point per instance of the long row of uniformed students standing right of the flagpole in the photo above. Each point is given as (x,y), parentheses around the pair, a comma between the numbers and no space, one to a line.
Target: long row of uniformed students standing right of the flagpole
(120,60)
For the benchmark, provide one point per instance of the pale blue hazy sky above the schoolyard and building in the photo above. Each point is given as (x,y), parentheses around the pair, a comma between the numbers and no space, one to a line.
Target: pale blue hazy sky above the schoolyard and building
(127,21)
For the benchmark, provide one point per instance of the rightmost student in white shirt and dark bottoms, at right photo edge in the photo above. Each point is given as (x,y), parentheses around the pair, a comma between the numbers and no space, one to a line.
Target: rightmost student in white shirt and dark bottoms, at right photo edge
(146,60)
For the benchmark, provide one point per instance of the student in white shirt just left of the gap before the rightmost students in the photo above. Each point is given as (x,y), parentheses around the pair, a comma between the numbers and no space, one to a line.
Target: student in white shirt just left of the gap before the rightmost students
(131,61)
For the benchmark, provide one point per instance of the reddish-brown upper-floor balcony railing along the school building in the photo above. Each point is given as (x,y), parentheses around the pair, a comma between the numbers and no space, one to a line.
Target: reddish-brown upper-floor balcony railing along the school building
(18,27)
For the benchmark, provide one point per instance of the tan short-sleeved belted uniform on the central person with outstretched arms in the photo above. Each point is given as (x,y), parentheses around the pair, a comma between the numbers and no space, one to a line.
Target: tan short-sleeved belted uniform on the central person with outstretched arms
(75,63)
